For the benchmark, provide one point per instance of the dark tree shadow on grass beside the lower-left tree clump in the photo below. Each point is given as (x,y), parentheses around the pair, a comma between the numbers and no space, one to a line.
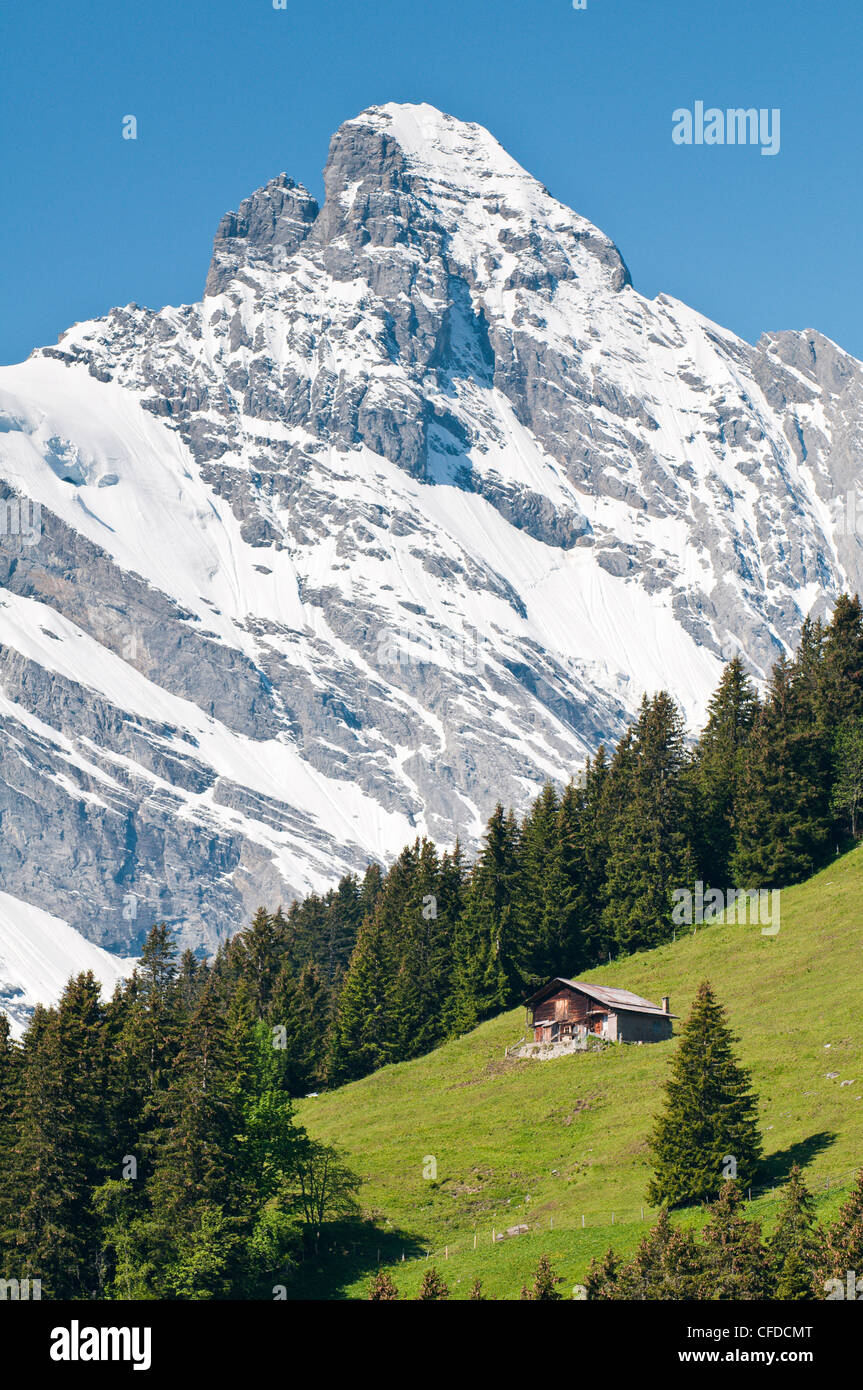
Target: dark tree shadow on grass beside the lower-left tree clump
(348,1252)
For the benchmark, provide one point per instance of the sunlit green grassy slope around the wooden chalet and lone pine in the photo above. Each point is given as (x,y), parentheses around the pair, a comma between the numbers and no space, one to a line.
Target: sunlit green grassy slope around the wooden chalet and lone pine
(550,1143)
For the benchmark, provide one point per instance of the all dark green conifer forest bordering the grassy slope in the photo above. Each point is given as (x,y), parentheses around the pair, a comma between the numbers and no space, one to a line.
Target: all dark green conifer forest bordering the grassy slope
(149,1146)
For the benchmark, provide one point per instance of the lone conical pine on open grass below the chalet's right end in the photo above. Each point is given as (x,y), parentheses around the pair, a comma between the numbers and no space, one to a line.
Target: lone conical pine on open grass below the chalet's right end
(709,1118)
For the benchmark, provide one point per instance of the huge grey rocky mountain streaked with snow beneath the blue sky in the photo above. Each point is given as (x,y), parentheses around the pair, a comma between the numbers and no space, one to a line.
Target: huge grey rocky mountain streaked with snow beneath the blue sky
(400,521)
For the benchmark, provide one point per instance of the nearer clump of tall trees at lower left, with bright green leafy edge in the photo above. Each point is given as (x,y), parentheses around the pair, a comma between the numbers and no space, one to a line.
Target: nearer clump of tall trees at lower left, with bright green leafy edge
(149,1147)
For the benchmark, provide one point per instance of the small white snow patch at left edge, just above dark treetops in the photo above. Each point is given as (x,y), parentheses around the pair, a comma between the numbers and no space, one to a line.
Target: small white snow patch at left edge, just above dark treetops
(40,953)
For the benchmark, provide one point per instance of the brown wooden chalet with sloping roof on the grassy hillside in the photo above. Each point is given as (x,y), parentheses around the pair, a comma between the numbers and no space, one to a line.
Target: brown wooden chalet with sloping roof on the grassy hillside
(568,1010)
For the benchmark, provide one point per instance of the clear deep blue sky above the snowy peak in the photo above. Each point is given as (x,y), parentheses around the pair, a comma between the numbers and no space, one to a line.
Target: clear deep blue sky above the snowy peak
(231,92)
